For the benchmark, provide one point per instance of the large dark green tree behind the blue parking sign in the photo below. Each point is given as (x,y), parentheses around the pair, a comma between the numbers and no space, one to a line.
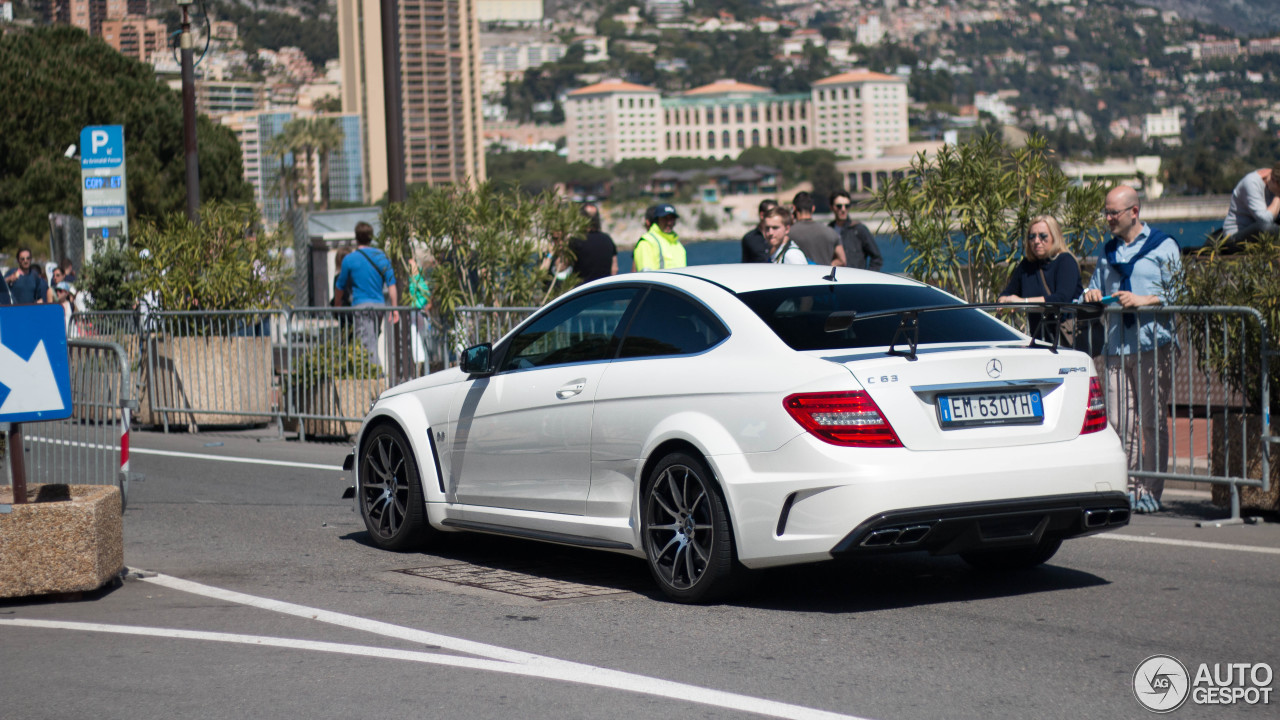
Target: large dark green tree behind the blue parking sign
(54,83)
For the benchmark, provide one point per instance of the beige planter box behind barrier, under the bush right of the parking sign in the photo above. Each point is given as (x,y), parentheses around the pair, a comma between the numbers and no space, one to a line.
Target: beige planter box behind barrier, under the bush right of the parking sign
(207,381)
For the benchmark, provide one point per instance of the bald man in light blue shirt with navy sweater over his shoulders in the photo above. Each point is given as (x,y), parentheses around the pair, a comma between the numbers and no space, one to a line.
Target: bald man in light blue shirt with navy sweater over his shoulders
(1137,268)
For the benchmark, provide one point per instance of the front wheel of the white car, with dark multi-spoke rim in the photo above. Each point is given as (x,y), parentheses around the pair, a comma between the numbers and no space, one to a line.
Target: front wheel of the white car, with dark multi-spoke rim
(390,491)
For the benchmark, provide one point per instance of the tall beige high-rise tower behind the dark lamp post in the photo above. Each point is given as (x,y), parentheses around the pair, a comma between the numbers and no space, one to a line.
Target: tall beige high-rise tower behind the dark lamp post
(440,66)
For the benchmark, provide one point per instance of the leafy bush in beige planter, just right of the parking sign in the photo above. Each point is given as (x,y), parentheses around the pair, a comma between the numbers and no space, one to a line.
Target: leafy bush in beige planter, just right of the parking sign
(196,361)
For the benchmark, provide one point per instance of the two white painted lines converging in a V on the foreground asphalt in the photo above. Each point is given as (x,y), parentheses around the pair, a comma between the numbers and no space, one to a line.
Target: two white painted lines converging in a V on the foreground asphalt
(491,658)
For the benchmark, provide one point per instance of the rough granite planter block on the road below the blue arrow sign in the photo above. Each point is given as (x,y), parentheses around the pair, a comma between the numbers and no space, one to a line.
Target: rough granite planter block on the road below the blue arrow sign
(58,545)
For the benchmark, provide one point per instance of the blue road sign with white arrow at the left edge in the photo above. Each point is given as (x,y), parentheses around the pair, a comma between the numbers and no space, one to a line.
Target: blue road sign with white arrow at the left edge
(35,376)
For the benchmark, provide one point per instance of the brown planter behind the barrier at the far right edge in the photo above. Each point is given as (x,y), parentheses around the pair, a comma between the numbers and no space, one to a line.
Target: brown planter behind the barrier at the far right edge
(1231,435)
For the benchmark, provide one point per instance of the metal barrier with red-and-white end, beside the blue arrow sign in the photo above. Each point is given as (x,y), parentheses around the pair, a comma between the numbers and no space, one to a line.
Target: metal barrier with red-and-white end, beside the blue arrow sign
(92,446)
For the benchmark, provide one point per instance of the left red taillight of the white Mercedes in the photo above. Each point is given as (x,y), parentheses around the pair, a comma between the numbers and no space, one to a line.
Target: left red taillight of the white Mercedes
(849,420)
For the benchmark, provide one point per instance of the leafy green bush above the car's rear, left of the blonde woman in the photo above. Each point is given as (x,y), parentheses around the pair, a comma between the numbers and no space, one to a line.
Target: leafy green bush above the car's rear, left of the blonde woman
(963,213)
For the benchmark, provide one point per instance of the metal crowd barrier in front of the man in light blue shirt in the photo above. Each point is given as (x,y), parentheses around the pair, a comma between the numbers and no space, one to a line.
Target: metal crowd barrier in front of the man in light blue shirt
(1177,417)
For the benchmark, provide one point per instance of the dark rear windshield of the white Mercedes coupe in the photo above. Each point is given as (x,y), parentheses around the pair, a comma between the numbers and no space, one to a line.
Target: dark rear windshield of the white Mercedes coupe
(799,316)
